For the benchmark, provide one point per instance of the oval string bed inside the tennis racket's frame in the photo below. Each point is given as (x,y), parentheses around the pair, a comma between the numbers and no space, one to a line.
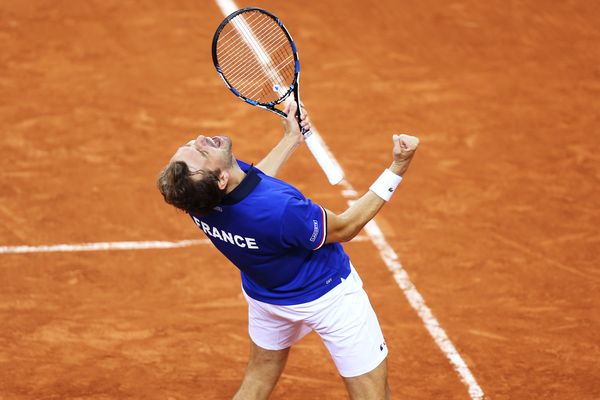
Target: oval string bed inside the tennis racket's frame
(256,57)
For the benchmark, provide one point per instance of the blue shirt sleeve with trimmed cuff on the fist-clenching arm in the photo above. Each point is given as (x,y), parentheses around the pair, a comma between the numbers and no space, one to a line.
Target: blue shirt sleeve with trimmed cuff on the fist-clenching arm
(304,224)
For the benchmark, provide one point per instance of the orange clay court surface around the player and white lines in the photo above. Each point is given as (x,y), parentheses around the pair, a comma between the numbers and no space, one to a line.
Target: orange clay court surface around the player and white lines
(496,222)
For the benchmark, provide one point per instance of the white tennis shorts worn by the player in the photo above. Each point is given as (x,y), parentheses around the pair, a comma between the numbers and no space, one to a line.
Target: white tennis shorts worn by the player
(343,317)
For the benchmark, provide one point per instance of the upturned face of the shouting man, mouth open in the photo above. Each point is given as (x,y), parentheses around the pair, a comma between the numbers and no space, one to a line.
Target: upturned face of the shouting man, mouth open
(205,154)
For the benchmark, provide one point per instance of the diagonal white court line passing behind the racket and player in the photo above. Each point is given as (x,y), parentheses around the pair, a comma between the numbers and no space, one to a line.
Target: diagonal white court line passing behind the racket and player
(390,258)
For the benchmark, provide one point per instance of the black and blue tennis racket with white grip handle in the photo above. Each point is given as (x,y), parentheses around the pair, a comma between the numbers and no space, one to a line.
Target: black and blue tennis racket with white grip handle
(257,59)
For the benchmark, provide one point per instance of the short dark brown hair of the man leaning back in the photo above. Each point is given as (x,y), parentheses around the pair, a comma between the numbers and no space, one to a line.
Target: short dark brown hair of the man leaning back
(197,197)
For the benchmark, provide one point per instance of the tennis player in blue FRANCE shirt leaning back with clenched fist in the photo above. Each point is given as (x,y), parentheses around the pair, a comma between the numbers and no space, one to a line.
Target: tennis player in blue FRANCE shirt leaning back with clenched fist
(295,275)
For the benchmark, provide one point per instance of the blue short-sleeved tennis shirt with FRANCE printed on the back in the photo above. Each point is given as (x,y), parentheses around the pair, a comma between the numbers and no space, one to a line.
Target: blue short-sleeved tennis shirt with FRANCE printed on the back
(276,237)
